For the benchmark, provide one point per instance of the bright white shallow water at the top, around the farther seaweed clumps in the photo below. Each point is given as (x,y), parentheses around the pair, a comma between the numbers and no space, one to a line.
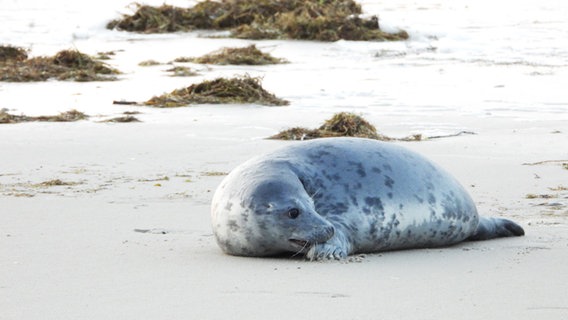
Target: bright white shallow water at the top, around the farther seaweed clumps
(475,58)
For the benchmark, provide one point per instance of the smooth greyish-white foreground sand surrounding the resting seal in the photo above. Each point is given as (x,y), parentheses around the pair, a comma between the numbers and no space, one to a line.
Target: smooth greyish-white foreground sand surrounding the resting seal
(77,252)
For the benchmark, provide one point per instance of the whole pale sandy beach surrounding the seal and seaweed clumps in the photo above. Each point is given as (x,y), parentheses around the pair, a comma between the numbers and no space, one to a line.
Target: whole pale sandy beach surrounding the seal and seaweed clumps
(126,233)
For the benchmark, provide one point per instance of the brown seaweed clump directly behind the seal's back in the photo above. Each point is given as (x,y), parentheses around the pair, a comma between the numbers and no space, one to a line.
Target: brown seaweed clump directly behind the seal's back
(343,124)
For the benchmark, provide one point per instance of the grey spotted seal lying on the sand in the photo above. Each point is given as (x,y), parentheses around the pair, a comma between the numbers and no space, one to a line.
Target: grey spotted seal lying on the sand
(329,198)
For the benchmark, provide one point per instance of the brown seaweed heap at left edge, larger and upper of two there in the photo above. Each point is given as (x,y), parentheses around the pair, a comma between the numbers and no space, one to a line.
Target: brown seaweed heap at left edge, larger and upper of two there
(65,65)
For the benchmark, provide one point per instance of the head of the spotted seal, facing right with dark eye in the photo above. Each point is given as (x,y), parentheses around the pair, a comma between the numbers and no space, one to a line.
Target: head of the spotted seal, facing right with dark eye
(266,214)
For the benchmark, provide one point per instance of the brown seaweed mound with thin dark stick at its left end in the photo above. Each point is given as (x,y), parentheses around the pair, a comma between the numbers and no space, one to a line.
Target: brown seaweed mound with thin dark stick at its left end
(231,91)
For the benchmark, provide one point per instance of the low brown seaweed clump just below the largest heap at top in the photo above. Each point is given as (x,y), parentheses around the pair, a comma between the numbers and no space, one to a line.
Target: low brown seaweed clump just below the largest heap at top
(237,56)
